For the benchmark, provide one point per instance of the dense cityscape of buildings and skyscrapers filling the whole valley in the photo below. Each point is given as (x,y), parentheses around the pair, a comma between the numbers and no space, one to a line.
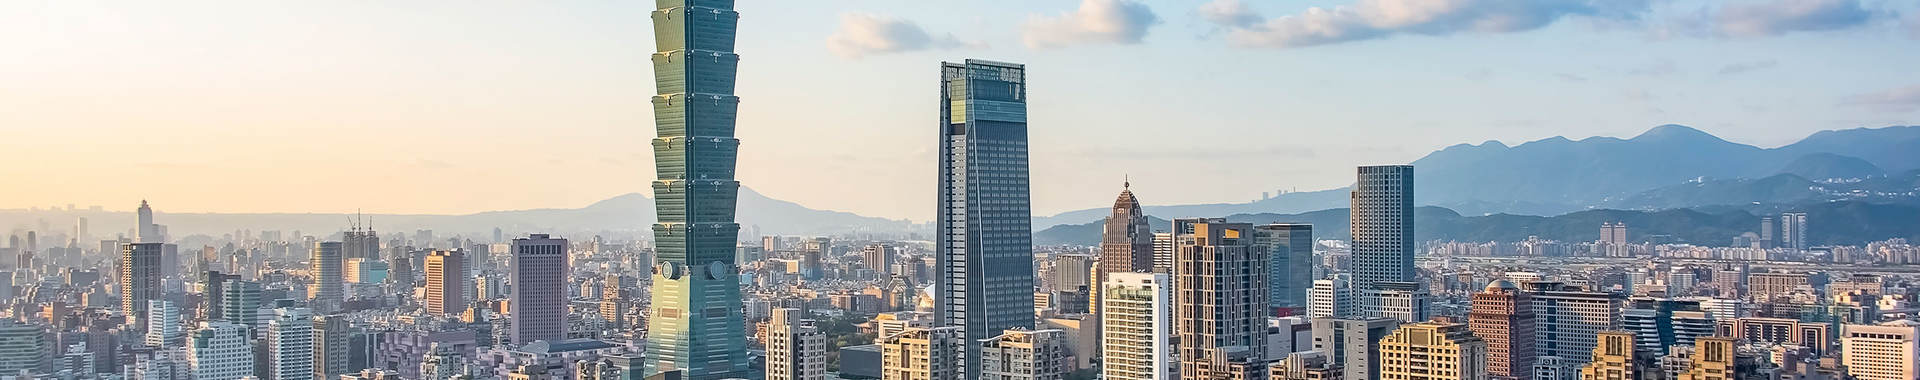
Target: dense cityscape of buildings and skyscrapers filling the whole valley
(700,297)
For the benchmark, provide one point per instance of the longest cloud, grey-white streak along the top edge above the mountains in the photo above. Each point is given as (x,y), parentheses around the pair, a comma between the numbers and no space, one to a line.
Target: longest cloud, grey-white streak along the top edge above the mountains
(1383,18)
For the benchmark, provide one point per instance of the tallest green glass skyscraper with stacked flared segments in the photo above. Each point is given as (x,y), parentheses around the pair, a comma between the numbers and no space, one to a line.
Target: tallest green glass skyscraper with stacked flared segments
(696,325)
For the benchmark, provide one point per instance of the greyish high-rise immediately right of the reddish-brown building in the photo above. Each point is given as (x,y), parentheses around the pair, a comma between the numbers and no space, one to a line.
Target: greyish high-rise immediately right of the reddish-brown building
(1570,323)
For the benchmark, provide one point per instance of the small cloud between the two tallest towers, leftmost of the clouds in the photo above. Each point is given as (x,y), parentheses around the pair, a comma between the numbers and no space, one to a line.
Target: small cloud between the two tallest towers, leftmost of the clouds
(869,36)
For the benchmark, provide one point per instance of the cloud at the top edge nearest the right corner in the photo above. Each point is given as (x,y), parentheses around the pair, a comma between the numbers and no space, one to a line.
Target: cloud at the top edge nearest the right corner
(1787,16)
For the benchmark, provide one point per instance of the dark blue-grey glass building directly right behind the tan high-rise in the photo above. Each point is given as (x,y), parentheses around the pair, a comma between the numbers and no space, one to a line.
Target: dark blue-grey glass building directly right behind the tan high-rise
(1289,264)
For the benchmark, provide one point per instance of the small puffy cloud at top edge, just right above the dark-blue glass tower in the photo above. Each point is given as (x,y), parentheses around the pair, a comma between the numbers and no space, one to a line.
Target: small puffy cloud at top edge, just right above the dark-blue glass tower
(1097,22)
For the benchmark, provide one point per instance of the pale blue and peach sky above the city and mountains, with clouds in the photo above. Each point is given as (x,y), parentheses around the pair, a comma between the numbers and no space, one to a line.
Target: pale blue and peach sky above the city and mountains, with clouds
(479,107)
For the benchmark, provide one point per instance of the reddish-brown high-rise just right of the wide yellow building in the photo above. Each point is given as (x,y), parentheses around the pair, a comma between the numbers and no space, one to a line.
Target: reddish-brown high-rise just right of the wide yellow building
(1504,320)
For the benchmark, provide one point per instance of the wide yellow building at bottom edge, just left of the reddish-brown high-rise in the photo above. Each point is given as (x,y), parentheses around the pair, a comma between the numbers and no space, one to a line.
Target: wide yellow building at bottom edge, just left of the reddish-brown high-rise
(1433,352)
